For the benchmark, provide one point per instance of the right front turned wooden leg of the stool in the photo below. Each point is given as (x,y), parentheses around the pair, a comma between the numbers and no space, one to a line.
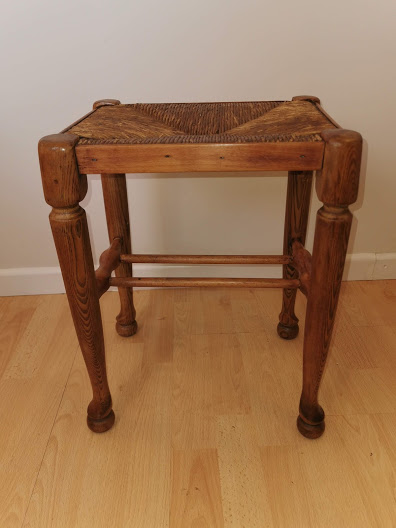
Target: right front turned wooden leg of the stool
(337,186)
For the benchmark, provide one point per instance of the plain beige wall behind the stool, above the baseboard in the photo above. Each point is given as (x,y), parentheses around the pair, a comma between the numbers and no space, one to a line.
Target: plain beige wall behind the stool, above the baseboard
(61,56)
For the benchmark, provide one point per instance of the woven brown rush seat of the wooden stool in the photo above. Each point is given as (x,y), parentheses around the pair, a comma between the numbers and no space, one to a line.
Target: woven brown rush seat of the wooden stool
(266,121)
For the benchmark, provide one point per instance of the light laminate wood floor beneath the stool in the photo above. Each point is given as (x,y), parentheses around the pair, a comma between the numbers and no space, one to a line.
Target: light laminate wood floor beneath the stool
(206,399)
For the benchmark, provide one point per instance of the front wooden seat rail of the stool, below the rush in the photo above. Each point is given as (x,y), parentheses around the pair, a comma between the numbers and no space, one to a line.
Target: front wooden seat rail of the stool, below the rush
(99,159)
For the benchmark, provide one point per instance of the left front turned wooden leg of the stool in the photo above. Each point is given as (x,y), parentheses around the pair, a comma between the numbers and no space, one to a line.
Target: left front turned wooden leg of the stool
(64,188)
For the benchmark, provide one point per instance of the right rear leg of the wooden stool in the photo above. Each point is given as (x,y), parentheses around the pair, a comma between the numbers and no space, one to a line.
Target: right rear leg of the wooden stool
(298,198)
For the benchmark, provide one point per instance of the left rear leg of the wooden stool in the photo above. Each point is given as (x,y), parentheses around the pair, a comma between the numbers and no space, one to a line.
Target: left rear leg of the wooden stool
(117,216)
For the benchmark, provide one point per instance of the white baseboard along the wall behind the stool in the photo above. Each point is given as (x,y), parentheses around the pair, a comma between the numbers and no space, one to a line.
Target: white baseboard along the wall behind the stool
(35,281)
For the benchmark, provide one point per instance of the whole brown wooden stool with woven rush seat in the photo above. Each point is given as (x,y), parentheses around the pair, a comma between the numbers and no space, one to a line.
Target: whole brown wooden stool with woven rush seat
(114,139)
